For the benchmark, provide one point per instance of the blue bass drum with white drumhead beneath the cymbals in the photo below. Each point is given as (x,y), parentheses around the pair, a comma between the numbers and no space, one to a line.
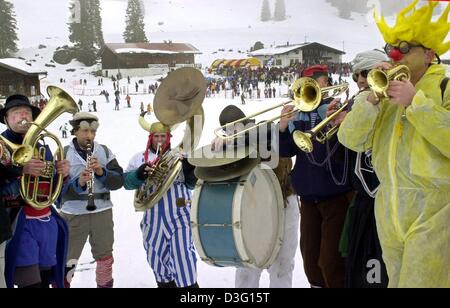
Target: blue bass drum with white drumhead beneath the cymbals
(239,222)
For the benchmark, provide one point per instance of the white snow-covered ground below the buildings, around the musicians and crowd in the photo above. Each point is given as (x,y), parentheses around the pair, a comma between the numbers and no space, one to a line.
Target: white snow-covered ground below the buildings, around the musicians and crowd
(120,131)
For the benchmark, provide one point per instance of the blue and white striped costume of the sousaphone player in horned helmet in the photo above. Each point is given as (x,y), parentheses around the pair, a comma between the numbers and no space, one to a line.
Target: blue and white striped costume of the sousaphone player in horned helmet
(166,231)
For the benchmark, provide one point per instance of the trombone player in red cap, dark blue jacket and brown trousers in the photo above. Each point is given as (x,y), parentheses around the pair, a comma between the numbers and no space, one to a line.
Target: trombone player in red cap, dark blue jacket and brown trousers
(320,179)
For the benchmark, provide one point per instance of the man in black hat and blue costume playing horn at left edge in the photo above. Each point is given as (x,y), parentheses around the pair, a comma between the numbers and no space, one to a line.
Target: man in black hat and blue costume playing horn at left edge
(35,256)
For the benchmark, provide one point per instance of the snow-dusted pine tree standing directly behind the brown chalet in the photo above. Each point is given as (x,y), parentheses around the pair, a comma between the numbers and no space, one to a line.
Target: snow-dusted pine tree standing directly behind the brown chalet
(134,30)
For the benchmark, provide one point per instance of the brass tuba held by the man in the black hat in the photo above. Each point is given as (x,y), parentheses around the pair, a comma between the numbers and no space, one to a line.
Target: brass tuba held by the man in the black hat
(59,103)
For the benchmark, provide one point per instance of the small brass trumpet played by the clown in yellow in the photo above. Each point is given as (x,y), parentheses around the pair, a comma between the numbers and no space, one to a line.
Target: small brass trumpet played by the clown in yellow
(378,80)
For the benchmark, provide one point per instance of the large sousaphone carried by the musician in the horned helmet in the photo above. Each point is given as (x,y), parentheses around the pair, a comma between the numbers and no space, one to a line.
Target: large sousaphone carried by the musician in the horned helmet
(169,165)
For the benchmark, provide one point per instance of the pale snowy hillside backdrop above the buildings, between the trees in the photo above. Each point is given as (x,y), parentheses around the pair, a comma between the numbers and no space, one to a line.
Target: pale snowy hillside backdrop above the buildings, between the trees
(209,24)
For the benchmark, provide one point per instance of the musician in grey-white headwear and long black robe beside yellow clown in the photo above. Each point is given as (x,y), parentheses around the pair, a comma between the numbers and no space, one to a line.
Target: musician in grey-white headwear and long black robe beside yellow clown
(363,243)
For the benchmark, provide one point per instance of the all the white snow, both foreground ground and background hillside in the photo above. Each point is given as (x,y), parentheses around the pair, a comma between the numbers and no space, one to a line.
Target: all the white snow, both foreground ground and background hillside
(232,25)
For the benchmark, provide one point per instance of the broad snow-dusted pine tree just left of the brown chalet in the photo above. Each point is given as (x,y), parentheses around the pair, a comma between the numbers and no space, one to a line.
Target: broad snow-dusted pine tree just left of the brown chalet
(85,31)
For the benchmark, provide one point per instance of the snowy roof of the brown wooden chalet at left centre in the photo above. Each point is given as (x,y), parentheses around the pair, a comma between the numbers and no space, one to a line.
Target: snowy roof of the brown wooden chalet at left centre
(153,48)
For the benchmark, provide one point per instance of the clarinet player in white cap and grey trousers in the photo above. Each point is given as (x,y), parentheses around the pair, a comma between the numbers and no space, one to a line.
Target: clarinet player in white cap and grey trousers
(107,175)
